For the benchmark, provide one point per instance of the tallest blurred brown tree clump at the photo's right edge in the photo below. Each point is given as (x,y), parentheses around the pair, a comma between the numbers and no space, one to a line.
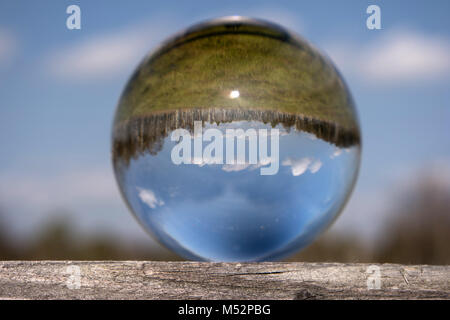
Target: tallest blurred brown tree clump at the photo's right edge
(419,232)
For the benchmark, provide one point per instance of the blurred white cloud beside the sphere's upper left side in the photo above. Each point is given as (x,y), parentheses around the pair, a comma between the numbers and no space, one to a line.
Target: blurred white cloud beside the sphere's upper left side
(105,55)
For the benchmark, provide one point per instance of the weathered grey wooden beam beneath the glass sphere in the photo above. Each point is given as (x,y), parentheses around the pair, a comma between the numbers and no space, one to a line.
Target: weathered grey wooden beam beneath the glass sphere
(200,280)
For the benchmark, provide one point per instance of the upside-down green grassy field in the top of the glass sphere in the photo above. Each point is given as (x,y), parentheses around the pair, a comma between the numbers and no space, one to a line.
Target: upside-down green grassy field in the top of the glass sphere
(271,71)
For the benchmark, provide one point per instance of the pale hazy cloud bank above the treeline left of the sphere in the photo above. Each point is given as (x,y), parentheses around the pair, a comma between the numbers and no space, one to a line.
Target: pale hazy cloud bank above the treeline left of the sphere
(88,197)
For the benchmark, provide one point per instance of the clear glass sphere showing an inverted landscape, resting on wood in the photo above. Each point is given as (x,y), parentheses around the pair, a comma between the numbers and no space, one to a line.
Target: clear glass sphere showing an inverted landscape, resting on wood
(236,140)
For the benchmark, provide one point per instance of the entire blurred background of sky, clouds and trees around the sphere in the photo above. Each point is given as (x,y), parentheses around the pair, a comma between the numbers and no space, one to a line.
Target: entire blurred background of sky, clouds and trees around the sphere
(59,89)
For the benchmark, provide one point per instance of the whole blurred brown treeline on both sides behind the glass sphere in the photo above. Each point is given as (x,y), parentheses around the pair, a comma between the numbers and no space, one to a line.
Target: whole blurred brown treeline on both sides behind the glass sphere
(417,233)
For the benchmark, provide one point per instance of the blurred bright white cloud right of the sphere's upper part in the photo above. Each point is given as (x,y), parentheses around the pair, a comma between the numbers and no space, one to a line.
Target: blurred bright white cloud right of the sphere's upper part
(395,57)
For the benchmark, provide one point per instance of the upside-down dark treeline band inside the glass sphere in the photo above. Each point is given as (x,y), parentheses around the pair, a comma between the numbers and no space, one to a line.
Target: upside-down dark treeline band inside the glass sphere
(146,134)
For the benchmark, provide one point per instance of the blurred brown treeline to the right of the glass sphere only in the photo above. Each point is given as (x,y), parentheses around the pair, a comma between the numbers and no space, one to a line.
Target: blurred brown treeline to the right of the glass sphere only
(417,232)
